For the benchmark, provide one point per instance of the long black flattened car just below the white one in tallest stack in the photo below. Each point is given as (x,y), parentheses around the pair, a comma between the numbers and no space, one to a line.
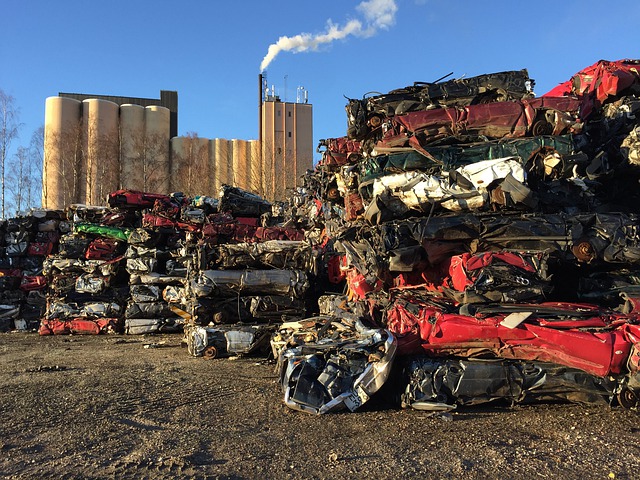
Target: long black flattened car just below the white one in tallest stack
(581,238)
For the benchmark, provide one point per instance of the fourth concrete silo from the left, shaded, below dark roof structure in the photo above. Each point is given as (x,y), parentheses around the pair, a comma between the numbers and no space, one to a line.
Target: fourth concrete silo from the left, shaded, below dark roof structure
(156,168)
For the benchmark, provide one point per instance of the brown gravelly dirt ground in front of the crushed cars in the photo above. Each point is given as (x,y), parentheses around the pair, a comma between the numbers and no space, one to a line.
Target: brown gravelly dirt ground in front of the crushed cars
(107,407)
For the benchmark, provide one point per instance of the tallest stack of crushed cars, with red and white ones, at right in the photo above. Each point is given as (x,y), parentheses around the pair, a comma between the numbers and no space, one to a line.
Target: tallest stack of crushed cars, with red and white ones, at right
(494,235)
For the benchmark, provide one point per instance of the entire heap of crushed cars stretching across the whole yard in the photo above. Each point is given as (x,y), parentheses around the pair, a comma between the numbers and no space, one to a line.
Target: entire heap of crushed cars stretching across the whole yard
(465,242)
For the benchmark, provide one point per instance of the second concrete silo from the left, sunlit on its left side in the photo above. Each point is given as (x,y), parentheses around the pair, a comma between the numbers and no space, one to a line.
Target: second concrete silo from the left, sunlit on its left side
(100,120)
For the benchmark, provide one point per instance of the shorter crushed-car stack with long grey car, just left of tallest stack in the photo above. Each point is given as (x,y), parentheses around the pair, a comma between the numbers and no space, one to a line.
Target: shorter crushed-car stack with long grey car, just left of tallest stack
(254,270)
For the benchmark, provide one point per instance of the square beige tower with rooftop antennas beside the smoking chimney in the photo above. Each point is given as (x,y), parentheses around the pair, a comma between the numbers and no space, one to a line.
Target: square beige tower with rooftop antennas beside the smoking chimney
(286,136)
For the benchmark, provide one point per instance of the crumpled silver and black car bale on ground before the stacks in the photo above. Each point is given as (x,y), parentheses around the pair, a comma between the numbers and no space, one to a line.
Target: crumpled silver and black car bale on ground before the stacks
(329,374)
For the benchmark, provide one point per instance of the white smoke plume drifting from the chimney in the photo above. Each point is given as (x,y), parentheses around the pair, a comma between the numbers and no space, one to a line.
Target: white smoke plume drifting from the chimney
(376,15)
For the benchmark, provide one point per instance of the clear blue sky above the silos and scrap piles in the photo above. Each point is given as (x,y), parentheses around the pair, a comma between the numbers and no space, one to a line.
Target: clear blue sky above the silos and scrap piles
(211,52)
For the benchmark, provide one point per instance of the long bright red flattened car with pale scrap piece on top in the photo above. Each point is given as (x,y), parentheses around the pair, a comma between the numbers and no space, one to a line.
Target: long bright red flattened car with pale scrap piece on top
(595,340)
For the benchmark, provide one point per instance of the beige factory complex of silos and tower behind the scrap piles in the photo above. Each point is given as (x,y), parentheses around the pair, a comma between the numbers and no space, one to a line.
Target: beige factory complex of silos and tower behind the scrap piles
(96,144)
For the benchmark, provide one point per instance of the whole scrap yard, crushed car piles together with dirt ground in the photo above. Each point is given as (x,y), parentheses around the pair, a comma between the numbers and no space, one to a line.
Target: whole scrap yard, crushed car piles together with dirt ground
(454,289)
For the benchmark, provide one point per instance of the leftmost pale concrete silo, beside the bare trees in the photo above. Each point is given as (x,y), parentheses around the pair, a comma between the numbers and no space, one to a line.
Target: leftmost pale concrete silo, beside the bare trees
(62,137)
